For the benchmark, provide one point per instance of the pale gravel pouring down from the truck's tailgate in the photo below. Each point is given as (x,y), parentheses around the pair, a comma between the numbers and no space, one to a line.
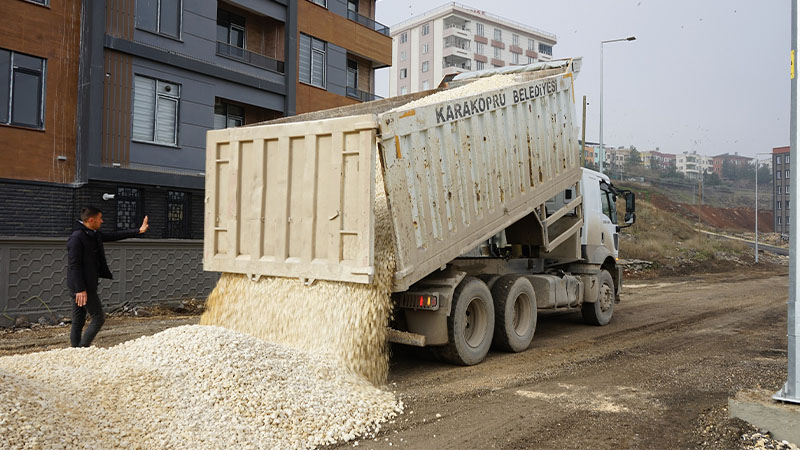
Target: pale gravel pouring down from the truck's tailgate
(346,321)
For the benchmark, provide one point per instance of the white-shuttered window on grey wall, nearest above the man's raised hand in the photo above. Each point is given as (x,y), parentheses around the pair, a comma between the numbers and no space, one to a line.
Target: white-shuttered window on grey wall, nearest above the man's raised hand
(155,110)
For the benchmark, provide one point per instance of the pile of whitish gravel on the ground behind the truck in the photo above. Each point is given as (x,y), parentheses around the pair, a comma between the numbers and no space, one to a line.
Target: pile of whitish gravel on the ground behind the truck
(186,387)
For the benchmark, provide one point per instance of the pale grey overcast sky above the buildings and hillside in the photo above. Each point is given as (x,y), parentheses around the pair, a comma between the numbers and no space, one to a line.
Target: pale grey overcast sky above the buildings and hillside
(710,76)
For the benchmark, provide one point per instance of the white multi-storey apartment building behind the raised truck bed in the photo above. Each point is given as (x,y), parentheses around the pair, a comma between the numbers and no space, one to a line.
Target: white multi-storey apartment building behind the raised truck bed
(455,38)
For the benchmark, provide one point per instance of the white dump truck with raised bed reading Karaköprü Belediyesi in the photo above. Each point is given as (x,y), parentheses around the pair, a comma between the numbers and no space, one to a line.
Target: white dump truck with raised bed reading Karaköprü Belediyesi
(493,217)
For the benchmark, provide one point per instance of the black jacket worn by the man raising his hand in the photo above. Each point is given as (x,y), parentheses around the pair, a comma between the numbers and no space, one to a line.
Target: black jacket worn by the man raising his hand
(87,257)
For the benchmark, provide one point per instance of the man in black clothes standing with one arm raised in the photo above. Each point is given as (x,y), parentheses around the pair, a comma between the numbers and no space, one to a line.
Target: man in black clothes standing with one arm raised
(87,264)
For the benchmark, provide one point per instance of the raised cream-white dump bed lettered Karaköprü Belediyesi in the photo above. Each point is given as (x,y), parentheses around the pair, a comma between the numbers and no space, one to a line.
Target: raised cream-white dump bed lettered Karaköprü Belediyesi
(295,197)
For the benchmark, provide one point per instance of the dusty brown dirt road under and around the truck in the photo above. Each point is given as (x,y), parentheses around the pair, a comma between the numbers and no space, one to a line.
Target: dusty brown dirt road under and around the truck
(658,376)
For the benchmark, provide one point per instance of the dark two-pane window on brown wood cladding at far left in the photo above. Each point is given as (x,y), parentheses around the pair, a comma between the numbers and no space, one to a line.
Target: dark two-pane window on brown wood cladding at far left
(22,89)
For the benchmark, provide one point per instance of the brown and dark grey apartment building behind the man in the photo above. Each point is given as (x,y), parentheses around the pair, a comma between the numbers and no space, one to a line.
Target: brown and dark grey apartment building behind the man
(114,98)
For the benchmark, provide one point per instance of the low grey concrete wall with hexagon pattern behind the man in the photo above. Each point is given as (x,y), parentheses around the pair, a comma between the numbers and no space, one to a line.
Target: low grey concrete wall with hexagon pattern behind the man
(33,276)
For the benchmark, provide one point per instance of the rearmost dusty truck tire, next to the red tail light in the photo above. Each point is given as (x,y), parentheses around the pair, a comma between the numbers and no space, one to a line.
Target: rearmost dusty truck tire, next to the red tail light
(470,324)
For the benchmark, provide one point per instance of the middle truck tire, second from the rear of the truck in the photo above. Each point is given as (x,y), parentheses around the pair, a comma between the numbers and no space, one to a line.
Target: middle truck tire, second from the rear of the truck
(515,310)
